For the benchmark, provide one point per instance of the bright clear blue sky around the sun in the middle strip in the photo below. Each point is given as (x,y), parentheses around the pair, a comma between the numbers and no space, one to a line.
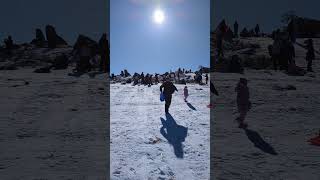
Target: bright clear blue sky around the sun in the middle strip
(138,44)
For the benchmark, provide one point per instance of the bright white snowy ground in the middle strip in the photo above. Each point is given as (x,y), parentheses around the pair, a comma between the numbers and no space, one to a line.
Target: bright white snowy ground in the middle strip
(140,151)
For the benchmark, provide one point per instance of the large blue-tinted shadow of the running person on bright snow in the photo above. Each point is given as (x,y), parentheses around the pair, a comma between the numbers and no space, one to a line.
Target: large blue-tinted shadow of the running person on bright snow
(174,133)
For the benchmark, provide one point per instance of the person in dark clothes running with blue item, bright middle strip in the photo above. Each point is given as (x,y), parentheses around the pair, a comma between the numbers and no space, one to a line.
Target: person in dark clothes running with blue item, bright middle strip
(167,88)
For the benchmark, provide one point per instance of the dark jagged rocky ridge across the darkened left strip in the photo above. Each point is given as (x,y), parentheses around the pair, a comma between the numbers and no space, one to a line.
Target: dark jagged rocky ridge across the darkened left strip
(51,51)
